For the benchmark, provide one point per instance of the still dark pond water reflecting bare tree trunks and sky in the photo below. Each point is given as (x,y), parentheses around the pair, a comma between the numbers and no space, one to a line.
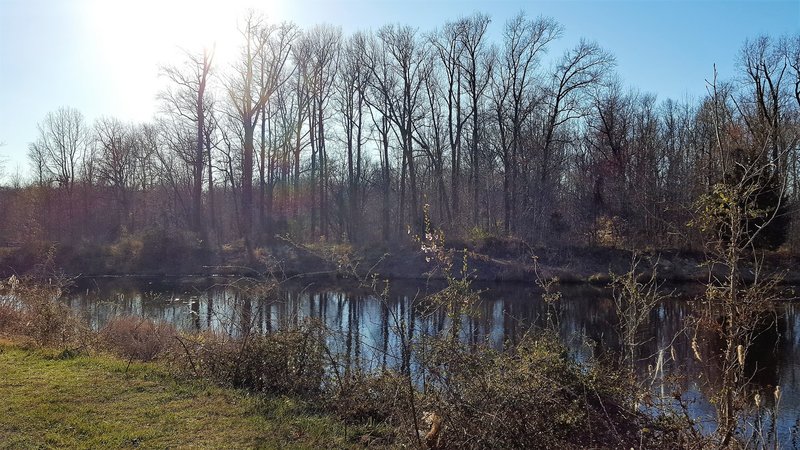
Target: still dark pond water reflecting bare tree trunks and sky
(365,332)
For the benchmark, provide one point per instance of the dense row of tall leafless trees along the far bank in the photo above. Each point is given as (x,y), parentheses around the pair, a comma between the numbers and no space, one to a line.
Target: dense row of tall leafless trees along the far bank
(313,133)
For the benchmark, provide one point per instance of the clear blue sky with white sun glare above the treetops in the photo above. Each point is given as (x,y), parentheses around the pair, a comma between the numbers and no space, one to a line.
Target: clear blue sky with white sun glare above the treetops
(102,56)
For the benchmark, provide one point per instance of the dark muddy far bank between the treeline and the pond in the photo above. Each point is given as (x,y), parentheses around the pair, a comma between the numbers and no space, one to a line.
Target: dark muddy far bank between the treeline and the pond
(569,265)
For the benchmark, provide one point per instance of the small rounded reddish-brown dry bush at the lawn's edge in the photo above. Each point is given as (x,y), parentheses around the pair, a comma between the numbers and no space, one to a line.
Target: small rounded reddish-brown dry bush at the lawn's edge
(138,338)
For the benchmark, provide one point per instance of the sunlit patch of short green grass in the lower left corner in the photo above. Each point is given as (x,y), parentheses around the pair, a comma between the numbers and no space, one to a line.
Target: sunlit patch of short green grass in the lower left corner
(92,402)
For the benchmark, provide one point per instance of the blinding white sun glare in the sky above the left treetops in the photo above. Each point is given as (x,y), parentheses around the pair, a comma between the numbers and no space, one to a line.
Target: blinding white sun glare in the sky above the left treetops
(134,38)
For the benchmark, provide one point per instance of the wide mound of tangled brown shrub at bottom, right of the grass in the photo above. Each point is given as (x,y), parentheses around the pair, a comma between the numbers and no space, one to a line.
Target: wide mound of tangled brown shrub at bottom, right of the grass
(533,396)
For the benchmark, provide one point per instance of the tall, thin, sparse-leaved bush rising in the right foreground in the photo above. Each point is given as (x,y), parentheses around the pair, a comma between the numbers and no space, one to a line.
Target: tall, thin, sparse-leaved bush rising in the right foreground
(739,219)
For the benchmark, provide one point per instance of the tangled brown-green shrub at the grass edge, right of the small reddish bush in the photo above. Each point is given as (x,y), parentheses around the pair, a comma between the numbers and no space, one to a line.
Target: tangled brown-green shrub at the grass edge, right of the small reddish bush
(288,361)
